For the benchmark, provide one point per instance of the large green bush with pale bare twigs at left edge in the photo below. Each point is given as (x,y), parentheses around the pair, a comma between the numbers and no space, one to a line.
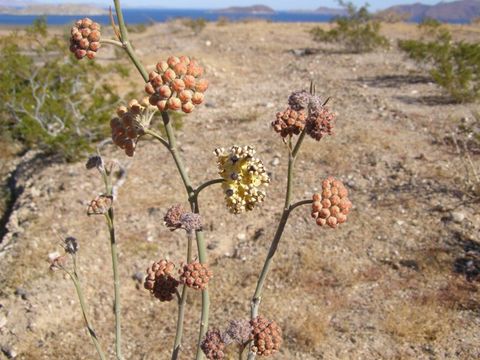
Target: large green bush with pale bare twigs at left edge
(47,99)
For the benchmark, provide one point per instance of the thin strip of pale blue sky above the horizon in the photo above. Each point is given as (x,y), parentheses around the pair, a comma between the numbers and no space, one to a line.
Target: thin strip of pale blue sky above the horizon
(276,4)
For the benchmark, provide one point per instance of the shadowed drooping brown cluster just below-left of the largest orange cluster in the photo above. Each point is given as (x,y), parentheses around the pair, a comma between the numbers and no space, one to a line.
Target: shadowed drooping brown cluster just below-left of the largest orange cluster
(131,123)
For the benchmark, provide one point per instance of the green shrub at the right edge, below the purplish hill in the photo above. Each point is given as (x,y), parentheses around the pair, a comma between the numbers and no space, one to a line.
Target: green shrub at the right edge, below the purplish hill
(455,66)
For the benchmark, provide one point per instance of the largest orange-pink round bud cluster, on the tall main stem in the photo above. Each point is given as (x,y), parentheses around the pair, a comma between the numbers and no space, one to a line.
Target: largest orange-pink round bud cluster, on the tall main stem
(177,84)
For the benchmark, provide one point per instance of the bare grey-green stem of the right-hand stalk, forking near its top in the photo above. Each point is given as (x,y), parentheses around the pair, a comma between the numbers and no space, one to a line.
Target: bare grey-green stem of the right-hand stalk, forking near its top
(257,297)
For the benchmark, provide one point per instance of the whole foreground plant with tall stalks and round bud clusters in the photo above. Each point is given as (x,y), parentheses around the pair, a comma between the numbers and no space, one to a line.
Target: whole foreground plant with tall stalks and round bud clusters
(178,85)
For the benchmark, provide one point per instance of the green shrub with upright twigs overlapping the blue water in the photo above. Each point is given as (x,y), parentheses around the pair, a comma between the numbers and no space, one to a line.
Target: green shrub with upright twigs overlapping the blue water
(358,31)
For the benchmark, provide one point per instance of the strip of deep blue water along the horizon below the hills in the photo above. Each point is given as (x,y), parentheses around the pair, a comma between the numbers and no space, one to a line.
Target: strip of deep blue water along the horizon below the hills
(138,16)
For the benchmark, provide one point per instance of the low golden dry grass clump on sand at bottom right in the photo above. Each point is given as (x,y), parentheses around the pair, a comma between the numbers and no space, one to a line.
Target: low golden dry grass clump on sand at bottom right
(419,322)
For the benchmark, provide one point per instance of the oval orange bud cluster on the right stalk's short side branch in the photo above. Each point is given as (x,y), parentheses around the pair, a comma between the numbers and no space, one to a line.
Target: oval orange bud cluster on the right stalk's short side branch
(332,205)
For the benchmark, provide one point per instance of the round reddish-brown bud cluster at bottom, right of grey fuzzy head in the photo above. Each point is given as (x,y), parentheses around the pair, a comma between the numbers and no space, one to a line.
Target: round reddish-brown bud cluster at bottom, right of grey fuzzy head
(266,336)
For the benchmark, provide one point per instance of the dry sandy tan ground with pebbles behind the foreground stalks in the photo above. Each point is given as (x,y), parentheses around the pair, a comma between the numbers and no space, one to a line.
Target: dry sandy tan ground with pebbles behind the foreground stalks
(399,280)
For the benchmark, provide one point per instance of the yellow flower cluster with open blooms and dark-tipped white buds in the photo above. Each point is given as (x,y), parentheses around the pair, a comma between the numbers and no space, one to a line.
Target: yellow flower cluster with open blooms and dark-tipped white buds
(244,177)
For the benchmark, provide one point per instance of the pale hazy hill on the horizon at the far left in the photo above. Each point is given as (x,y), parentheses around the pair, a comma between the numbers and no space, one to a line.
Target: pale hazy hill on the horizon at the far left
(51,9)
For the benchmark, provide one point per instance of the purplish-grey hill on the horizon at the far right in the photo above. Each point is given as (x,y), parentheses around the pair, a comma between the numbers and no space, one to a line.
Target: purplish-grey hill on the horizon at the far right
(455,11)
